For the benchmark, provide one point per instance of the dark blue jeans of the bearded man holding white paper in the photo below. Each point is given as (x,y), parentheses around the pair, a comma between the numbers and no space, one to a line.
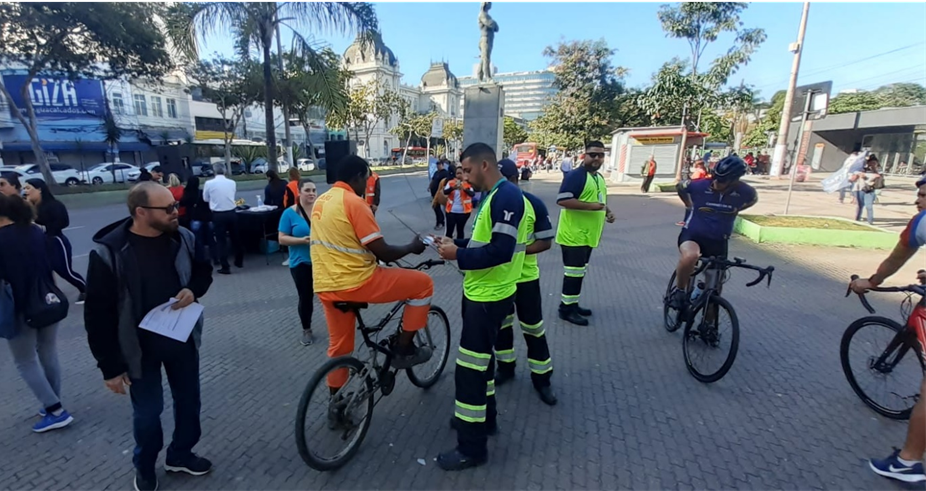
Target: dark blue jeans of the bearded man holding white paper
(181,364)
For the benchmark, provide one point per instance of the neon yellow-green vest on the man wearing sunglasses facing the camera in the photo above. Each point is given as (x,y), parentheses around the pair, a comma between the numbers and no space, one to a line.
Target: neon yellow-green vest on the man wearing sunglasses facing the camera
(582,227)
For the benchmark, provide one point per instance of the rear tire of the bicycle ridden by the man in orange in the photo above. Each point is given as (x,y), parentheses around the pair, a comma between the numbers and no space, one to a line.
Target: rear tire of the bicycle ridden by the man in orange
(319,378)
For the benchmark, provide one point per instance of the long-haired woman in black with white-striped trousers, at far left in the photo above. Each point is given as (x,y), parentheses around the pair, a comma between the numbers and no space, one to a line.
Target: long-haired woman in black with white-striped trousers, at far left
(52,217)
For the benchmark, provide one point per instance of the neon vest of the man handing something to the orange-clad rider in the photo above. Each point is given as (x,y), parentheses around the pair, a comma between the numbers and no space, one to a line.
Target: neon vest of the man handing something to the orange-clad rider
(499,282)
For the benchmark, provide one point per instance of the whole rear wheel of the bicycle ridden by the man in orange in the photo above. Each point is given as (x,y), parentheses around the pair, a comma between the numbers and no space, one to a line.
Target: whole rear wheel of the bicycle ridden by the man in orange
(338,419)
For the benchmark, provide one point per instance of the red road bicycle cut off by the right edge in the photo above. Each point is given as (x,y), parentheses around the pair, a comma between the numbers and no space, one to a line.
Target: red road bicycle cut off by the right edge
(883,354)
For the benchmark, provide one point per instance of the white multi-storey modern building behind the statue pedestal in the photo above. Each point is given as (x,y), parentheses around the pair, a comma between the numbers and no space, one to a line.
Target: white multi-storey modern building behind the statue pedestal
(526,93)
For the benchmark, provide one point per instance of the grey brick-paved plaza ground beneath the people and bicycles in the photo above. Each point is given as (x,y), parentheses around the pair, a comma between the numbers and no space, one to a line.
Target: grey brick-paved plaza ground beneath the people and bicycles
(629,417)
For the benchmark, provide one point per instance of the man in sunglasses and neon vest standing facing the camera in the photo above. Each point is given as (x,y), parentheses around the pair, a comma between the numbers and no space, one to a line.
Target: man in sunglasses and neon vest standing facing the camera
(584,198)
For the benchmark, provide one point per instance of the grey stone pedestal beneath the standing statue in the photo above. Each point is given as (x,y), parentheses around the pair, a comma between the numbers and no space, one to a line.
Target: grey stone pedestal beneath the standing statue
(483,112)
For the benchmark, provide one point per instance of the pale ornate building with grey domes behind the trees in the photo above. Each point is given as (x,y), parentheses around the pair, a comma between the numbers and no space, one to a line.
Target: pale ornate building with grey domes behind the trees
(439,90)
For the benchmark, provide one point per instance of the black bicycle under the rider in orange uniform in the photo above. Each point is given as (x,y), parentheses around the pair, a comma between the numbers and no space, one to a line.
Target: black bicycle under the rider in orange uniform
(346,412)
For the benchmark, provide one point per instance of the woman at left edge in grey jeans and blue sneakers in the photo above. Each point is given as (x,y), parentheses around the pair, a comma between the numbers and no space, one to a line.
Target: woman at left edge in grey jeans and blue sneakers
(25,272)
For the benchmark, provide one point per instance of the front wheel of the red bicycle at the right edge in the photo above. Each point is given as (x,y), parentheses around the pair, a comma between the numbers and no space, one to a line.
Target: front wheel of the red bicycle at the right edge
(888,341)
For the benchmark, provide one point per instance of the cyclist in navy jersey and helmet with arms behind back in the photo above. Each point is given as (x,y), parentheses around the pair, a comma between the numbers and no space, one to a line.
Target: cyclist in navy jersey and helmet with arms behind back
(714,204)
